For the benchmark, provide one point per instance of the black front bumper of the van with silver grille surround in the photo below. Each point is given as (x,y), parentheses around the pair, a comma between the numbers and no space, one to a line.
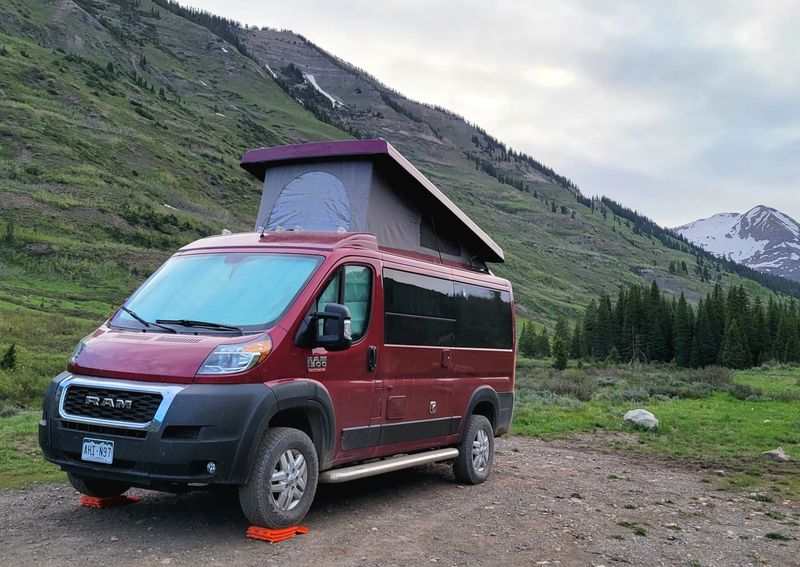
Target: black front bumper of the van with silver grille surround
(193,425)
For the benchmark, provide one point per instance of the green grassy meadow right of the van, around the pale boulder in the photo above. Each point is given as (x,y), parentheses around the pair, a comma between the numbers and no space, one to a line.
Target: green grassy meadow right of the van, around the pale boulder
(716,431)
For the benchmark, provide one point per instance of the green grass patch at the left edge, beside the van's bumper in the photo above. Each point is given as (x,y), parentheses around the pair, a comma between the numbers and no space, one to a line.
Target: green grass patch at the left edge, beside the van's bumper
(21,461)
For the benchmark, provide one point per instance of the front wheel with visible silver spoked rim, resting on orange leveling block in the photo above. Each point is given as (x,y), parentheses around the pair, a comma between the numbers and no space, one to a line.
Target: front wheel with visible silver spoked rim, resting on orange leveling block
(259,502)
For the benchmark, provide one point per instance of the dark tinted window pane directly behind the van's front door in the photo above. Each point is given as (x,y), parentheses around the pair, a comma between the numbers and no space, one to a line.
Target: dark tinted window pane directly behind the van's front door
(418,309)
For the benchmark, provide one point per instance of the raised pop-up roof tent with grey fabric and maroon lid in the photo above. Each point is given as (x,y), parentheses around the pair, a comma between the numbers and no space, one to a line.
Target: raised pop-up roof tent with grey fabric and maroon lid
(365,186)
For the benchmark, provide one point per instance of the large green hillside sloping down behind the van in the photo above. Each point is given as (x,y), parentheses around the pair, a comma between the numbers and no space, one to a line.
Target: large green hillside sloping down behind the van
(122,127)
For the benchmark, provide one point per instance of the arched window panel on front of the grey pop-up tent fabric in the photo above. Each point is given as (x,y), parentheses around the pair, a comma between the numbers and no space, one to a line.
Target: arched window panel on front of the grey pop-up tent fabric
(312,201)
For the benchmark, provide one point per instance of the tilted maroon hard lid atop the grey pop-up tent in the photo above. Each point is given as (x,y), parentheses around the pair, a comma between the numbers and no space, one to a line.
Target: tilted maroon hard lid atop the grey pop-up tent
(259,160)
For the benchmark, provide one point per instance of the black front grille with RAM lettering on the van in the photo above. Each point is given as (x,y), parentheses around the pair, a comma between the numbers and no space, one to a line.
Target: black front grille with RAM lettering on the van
(112,404)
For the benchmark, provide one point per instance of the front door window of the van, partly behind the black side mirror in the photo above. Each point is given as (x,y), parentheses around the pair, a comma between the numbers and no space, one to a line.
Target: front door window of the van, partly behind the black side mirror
(350,286)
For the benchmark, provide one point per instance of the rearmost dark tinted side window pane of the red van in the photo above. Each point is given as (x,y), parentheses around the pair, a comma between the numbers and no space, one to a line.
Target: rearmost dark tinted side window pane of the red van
(483,317)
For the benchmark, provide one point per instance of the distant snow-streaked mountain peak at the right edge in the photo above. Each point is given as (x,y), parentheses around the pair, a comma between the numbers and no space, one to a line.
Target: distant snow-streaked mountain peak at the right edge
(763,238)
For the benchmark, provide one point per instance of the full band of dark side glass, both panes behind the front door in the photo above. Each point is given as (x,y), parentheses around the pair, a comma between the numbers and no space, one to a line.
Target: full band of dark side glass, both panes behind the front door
(428,311)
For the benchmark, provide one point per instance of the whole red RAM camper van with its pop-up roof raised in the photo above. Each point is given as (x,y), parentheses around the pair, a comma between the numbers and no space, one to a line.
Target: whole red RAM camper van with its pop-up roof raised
(356,331)
